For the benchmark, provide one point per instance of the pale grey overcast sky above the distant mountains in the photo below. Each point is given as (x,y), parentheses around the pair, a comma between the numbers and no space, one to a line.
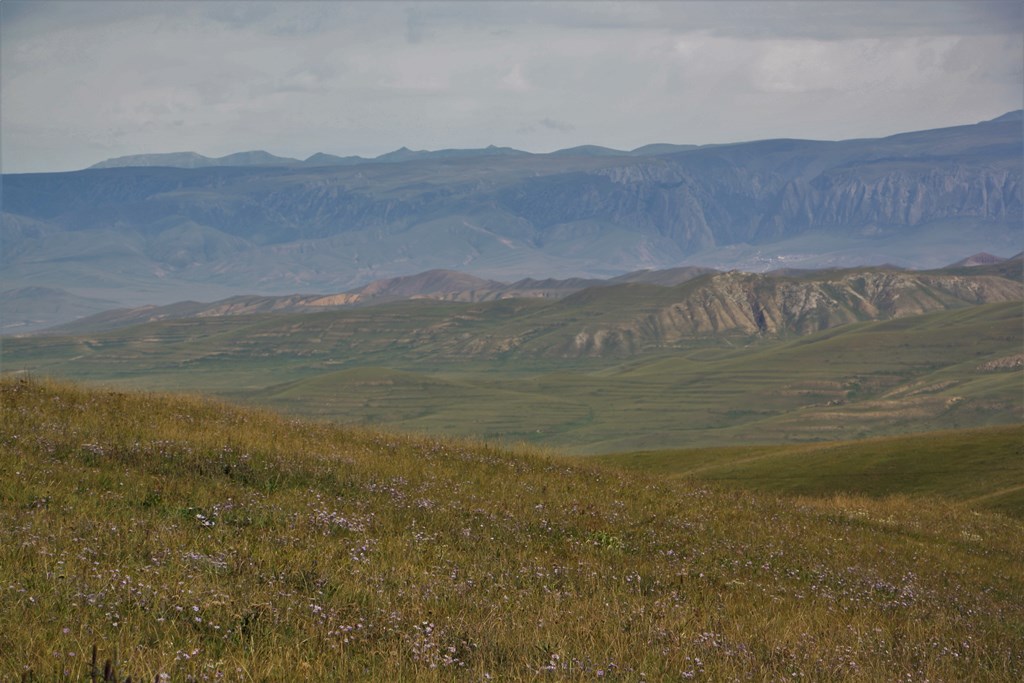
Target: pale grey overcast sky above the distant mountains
(84,81)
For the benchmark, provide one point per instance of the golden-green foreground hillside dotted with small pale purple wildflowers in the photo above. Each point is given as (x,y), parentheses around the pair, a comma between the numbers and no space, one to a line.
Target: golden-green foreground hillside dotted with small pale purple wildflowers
(185,538)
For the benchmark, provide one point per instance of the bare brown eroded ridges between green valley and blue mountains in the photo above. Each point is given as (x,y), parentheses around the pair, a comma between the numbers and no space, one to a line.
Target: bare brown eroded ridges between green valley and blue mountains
(647,310)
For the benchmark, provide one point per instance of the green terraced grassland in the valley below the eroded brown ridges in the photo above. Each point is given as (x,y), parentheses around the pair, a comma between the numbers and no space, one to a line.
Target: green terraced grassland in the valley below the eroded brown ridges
(411,367)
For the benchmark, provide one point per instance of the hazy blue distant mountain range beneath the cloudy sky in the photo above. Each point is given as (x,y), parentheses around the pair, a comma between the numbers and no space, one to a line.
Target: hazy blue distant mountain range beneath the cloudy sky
(158,229)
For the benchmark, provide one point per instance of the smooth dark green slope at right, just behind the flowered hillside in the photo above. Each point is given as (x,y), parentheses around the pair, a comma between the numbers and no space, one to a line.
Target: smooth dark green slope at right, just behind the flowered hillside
(982,467)
